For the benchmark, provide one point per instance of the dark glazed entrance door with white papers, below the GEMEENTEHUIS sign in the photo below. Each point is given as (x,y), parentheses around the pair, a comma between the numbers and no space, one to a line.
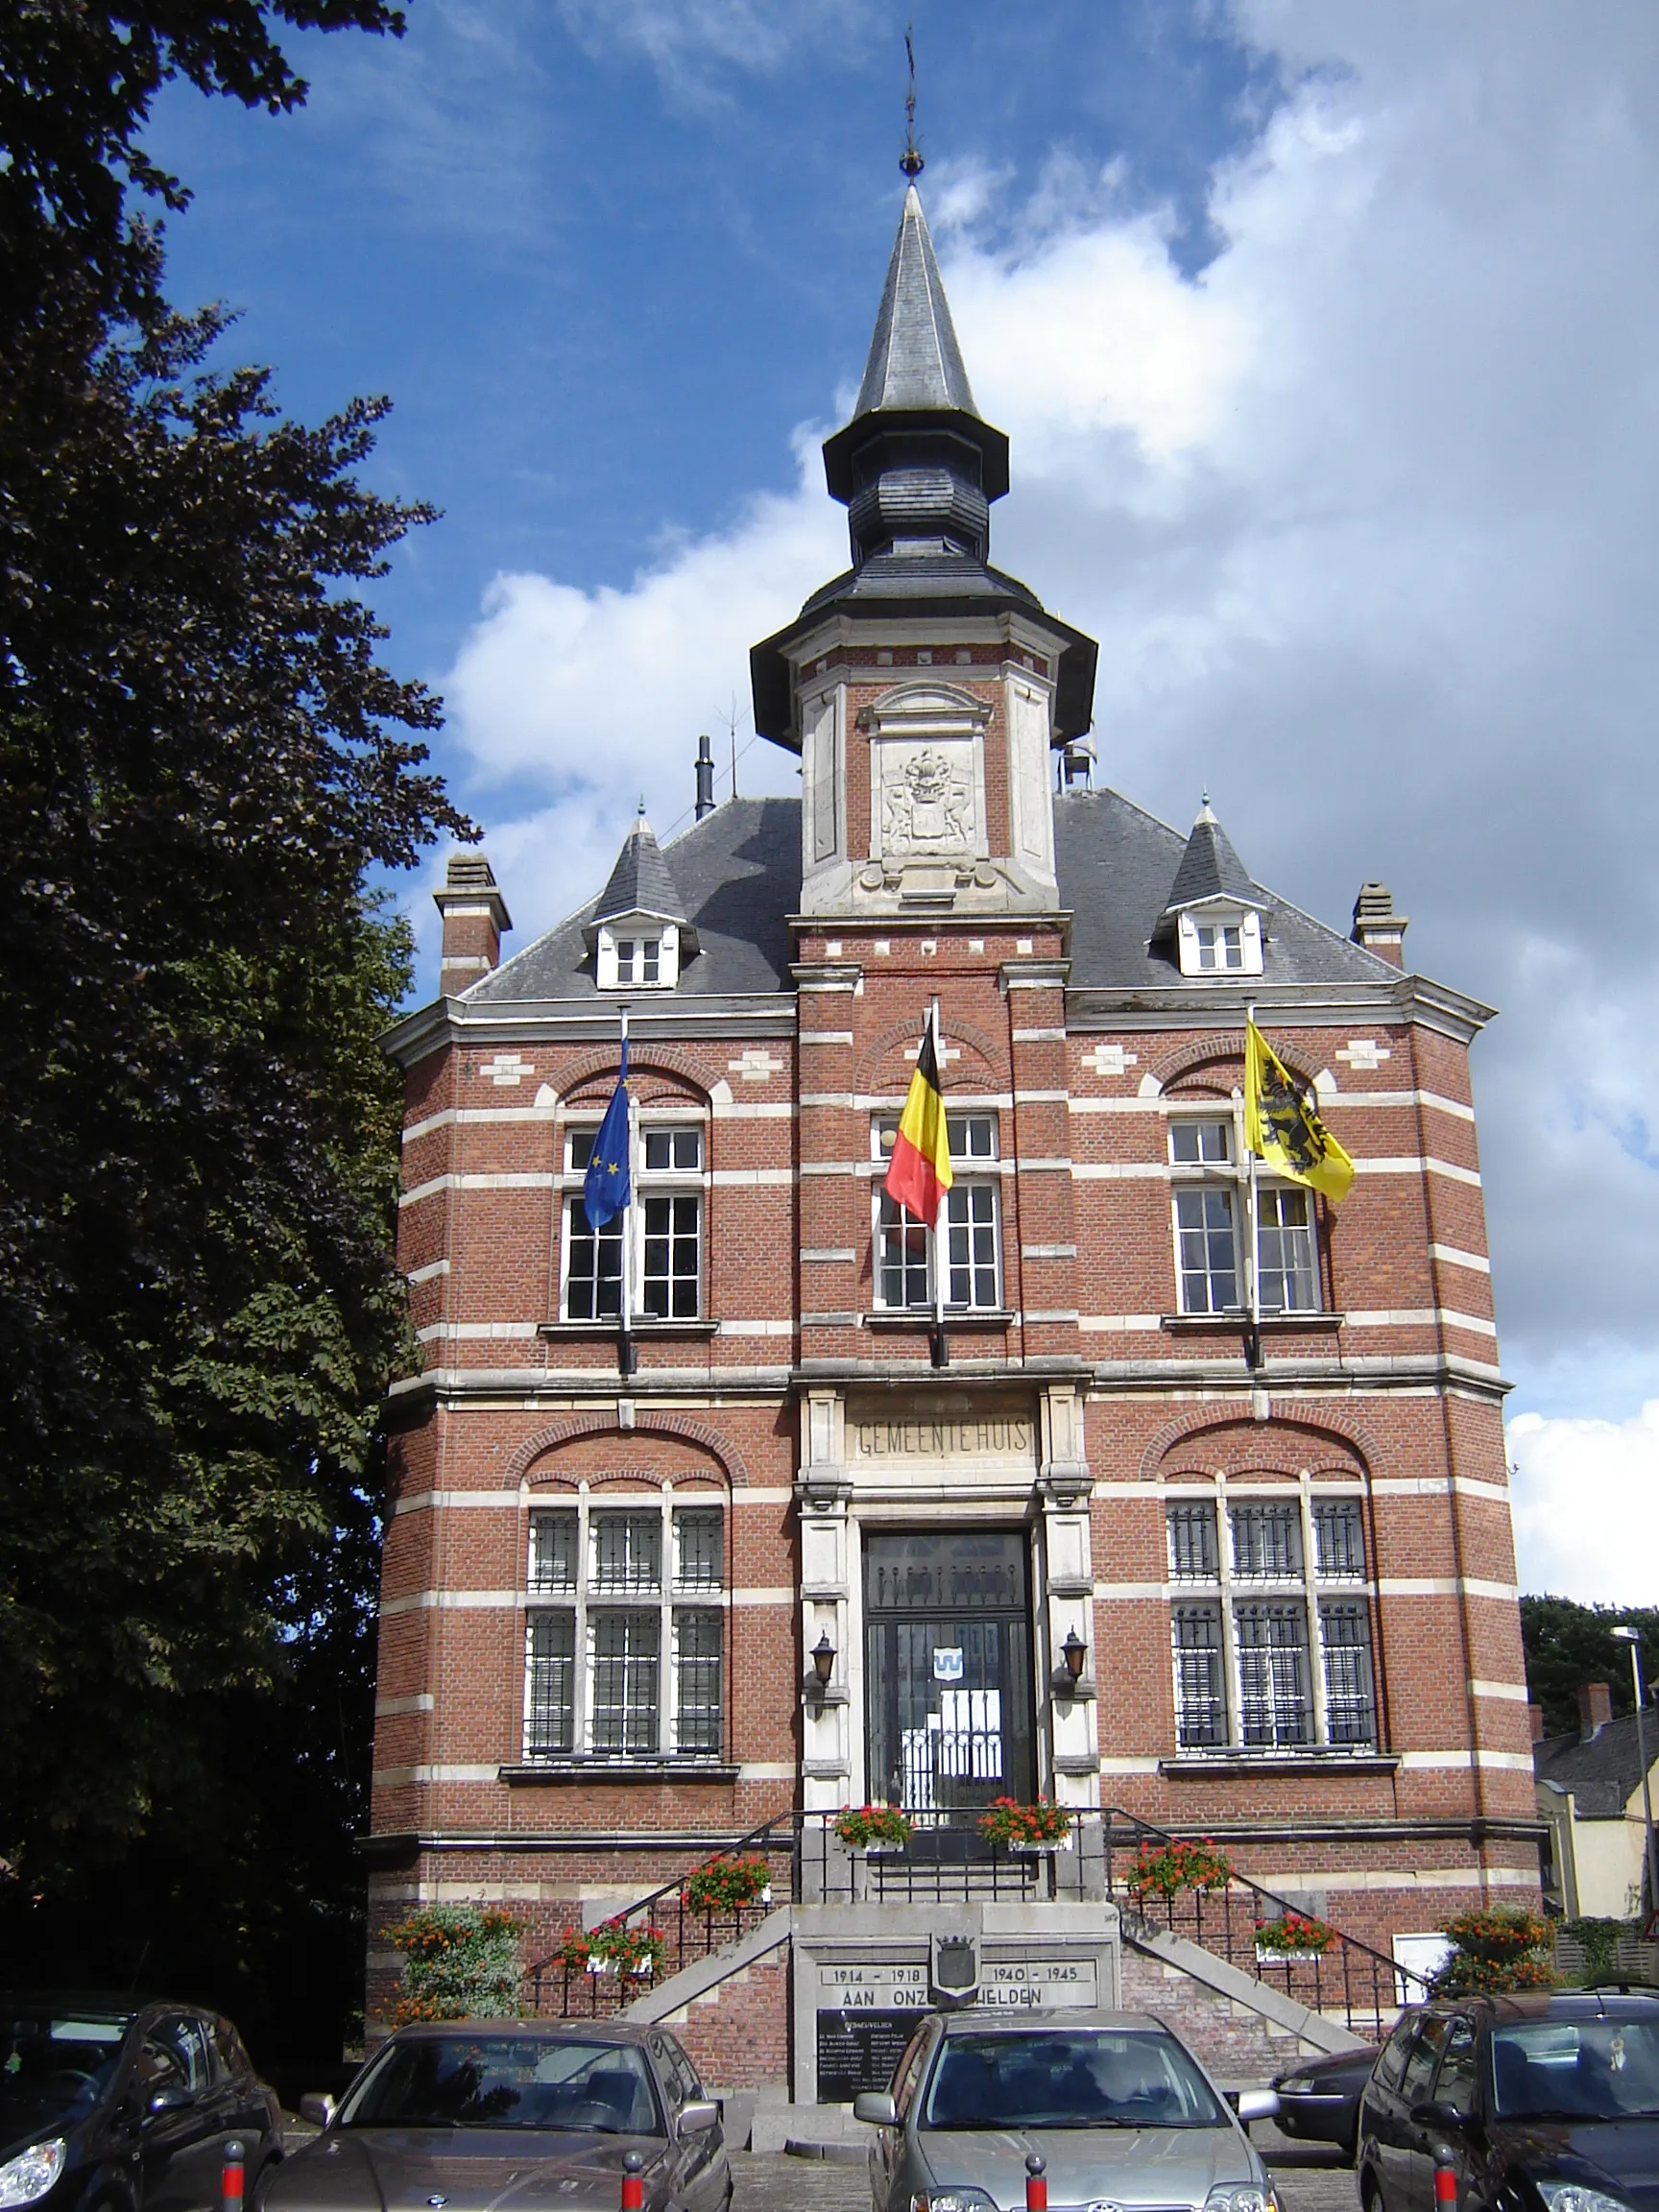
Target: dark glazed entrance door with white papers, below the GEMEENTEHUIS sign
(948,1667)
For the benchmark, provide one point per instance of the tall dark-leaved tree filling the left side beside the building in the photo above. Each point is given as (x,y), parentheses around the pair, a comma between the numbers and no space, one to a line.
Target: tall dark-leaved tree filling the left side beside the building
(202,773)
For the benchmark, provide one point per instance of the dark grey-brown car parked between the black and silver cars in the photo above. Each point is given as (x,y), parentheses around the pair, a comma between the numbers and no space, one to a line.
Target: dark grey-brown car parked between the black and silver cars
(468,2116)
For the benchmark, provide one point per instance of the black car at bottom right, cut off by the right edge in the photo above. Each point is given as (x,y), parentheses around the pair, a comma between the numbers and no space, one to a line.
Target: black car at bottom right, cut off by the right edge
(1543,2103)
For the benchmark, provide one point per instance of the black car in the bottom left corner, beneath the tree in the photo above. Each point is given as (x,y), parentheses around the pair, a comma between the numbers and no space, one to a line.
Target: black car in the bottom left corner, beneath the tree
(125,2107)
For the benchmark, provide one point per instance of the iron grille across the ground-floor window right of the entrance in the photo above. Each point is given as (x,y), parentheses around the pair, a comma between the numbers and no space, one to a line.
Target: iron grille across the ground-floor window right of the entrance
(1273,1660)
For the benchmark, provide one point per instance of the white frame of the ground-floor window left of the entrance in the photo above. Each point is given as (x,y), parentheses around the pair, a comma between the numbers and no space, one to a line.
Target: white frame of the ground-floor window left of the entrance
(671,1605)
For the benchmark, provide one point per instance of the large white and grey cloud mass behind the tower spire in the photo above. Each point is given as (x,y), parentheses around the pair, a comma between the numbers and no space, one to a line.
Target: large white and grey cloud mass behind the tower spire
(1364,521)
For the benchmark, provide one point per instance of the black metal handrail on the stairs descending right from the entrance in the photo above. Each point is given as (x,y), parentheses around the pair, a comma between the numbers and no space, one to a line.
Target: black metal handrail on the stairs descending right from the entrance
(1353,1974)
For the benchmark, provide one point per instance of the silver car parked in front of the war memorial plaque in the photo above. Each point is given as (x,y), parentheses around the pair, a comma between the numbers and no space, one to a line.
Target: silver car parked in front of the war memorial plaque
(1114,2103)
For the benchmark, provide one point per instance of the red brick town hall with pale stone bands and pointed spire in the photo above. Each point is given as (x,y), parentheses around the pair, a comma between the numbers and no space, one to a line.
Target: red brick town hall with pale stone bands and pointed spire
(605,1589)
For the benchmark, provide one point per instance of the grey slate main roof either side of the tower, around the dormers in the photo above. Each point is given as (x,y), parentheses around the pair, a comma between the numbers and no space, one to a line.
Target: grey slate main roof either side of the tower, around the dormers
(740,877)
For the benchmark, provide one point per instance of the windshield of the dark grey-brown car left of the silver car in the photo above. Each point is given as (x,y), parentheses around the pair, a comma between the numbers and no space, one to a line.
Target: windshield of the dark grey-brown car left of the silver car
(505,2083)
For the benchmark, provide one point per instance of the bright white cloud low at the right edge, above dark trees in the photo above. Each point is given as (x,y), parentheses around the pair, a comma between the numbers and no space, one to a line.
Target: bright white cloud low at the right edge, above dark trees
(1587,1507)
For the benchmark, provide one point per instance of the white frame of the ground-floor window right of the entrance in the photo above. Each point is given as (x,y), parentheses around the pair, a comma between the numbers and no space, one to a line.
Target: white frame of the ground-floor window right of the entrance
(1331,1594)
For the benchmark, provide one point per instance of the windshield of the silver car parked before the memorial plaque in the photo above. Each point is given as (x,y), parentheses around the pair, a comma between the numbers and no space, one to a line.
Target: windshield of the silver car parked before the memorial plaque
(1074,2078)
